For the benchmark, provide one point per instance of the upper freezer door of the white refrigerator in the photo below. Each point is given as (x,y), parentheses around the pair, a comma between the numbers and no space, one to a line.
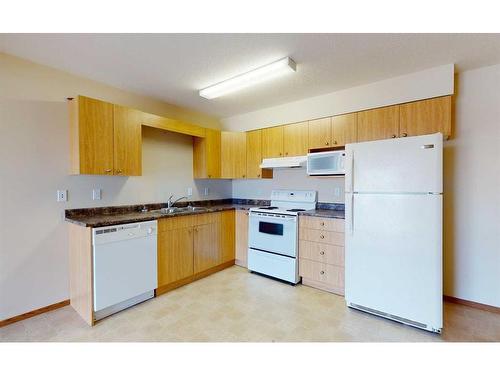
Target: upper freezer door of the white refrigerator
(402,165)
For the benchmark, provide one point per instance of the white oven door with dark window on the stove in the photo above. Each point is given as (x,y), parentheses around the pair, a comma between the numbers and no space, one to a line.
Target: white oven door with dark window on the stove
(273,234)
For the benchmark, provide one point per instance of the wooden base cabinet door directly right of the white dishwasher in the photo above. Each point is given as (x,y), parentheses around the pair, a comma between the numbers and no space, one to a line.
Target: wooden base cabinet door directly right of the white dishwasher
(175,255)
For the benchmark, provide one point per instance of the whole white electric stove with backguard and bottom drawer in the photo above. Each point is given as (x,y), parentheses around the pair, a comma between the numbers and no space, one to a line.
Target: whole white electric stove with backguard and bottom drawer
(273,234)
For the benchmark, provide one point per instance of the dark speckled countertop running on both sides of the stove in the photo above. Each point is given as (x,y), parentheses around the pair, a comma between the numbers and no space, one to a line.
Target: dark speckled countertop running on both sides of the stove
(115,215)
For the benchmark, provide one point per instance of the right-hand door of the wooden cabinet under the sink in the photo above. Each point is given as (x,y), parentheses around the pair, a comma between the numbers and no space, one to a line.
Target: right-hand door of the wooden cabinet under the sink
(206,247)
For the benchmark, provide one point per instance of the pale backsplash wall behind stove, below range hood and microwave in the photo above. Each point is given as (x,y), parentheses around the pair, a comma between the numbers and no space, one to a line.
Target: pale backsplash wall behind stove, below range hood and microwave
(330,189)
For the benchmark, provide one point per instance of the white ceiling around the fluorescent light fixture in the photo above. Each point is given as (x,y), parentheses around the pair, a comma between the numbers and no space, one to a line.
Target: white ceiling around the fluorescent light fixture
(173,67)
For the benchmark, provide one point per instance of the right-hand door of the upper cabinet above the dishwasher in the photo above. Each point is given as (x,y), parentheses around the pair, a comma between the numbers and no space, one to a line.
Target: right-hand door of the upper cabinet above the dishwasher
(127,141)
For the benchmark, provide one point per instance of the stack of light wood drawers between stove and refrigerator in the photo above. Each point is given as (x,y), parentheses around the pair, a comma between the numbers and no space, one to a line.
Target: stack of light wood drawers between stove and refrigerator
(321,253)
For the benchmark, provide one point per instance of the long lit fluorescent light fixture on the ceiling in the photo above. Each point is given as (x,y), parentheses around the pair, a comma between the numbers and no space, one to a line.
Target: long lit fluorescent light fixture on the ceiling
(264,73)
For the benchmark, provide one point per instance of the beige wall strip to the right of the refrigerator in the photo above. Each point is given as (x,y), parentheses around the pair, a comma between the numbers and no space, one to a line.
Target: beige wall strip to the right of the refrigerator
(472,190)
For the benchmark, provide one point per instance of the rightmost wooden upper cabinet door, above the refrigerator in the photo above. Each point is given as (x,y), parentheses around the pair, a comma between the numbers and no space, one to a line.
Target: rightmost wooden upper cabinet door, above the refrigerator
(426,117)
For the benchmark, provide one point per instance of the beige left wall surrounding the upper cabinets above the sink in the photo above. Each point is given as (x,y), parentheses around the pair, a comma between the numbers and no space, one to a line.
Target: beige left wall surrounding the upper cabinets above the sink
(34,155)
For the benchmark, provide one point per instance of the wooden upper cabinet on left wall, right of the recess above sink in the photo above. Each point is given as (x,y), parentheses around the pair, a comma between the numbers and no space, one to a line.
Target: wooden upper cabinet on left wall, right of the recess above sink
(207,155)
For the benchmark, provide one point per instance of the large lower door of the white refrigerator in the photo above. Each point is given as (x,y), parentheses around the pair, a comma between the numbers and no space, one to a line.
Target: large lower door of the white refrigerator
(393,257)
